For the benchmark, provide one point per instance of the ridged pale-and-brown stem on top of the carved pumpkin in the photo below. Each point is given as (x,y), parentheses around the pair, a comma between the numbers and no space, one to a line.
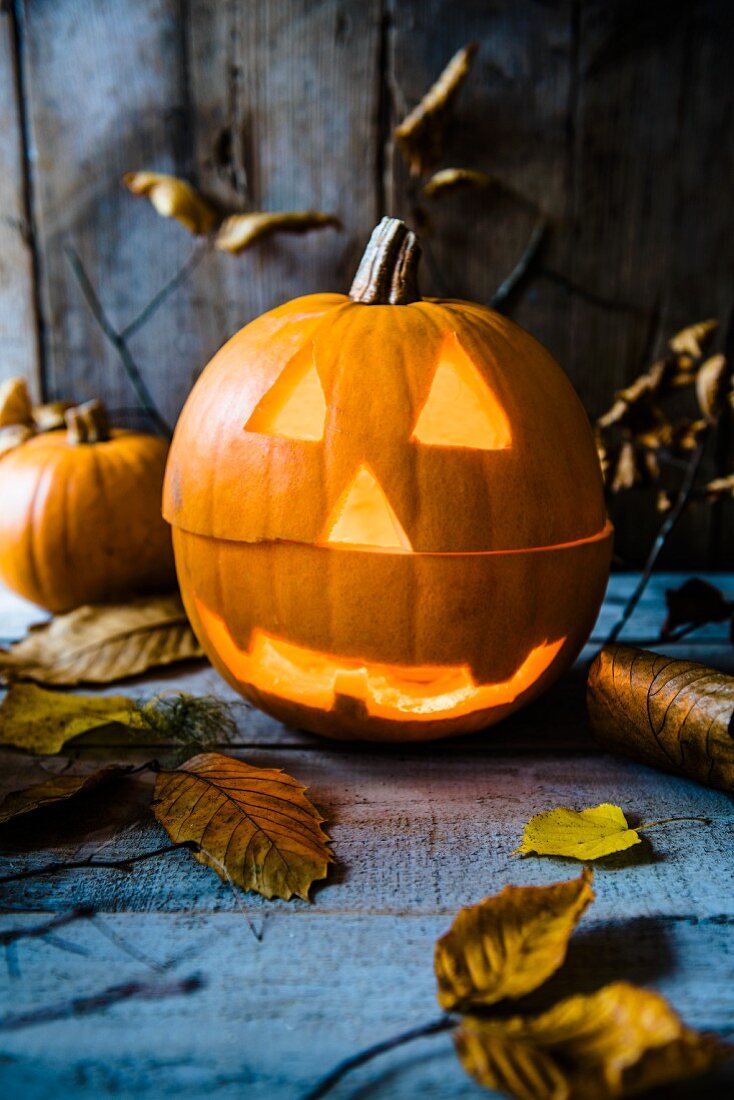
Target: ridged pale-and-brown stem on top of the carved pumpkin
(388,274)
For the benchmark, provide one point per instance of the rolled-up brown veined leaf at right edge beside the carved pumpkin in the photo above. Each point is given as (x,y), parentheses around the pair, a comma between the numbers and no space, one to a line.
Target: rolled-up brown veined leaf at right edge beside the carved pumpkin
(673,714)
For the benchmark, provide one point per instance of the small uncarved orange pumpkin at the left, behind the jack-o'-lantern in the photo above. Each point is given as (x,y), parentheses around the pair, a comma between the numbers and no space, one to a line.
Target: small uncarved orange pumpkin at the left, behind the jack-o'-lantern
(80,514)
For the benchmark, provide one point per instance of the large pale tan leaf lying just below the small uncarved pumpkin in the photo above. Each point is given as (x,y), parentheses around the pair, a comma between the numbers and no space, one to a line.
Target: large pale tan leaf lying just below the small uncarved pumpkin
(103,643)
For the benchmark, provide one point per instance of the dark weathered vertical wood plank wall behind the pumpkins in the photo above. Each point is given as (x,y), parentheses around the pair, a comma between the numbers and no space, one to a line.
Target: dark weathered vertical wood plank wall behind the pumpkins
(614,117)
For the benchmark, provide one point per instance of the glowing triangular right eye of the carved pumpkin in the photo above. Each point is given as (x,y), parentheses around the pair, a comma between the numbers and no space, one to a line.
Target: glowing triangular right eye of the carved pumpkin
(461,410)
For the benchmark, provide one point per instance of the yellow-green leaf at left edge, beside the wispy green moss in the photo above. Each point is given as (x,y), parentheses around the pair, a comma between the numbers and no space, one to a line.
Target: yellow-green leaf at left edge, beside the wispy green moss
(42,722)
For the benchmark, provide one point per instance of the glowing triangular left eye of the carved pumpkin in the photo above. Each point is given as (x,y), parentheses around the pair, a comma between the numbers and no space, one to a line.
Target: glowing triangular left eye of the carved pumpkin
(295,406)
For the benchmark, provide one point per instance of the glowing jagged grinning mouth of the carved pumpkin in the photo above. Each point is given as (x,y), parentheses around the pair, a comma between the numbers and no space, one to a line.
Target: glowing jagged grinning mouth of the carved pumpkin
(388,691)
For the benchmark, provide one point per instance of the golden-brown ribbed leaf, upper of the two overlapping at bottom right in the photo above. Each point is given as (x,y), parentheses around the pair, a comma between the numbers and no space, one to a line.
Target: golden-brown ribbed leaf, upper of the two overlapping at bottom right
(509,944)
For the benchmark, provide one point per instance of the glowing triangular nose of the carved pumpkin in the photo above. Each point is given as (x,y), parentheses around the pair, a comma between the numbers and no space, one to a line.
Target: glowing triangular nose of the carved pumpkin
(365,519)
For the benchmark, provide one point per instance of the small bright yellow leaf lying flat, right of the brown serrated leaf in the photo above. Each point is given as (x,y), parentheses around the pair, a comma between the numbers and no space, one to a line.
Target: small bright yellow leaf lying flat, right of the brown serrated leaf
(582,834)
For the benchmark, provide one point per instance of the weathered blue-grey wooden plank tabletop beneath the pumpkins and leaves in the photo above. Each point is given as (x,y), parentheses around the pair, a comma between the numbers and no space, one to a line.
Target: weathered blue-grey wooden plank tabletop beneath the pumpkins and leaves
(286,991)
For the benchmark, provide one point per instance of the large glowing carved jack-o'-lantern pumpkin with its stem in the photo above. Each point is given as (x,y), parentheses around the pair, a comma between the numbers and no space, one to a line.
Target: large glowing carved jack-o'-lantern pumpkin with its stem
(389,520)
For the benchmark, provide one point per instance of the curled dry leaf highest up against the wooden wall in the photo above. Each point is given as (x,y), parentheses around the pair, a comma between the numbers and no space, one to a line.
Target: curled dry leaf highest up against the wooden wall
(422,136)
